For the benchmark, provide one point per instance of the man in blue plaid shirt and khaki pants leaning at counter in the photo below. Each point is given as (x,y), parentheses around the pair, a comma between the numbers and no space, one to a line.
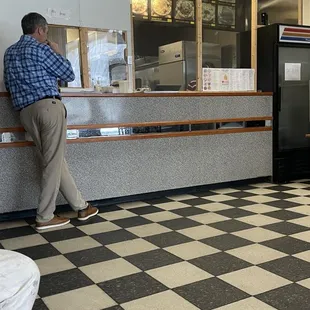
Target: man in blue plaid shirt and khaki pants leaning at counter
(32,67)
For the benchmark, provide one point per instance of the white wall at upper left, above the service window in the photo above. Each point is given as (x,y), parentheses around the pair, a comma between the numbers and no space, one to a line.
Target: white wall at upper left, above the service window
(105,14)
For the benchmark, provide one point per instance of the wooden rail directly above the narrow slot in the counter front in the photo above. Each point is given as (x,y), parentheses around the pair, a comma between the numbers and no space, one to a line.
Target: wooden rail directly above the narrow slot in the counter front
(154,124)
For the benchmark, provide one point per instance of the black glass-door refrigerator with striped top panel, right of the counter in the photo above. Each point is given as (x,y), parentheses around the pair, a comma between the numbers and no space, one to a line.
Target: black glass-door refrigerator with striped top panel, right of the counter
(284,68)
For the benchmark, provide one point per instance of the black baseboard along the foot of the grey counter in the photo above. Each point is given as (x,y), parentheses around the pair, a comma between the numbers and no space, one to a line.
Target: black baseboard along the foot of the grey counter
(17,215)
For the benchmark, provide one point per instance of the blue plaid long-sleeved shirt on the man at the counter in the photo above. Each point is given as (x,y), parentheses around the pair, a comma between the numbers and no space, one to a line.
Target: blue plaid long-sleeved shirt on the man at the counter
(31,71)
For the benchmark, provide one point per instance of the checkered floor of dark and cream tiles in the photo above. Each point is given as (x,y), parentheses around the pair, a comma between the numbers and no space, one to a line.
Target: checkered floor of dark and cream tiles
(230,249)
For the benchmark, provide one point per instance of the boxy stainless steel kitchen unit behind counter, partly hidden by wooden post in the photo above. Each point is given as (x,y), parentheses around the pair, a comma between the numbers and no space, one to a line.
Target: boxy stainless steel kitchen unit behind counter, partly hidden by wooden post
(177,61)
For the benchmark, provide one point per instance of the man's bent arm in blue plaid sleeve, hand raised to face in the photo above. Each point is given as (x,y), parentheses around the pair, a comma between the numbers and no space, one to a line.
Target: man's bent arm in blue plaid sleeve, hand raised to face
(57,65)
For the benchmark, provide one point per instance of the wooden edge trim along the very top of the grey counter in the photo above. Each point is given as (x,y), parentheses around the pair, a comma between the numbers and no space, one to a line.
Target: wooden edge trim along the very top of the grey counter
(150,95)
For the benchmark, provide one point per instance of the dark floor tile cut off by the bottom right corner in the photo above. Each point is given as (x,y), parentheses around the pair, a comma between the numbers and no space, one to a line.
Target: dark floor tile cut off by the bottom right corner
(290,297)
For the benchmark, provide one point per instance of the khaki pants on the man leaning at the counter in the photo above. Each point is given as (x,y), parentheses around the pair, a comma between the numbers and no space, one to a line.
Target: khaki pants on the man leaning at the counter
(46,123)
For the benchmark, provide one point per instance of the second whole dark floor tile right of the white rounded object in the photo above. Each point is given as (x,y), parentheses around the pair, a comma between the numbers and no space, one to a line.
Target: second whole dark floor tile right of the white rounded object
(132,287)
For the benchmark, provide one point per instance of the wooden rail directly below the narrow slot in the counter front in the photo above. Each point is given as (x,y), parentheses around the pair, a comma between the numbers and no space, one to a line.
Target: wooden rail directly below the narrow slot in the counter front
(149,136)
